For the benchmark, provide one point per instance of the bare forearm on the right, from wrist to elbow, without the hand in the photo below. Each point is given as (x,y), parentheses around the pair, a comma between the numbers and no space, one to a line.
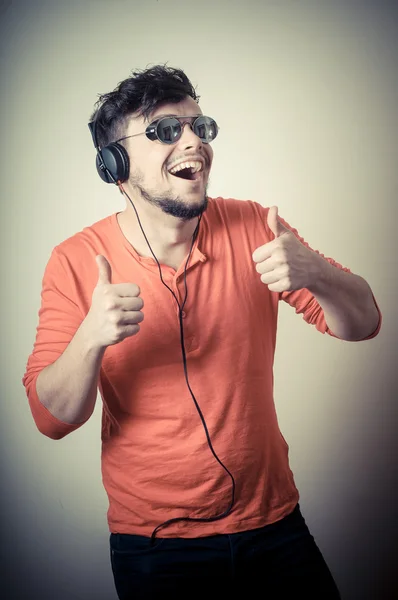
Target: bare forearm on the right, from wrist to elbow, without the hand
(347,301)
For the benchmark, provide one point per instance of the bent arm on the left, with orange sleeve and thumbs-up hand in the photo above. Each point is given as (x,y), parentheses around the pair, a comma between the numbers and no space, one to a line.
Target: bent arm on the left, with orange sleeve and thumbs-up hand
(63,370)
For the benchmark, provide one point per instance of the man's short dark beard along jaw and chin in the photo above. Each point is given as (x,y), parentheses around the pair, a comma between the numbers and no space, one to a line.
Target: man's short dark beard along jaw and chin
(171,205)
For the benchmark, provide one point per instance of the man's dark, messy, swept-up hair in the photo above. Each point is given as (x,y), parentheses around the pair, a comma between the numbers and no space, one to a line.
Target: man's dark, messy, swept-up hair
(142,93)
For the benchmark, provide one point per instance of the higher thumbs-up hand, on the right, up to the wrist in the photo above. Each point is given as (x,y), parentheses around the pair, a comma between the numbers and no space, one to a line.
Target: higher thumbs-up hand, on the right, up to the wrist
(285,264)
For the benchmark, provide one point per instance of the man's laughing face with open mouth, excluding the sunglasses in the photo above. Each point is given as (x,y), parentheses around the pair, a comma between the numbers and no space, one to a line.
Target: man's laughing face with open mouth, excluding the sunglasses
(151,162)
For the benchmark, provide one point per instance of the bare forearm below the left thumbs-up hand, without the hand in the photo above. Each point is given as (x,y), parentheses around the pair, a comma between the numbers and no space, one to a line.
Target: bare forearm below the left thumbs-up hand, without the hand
(68,387)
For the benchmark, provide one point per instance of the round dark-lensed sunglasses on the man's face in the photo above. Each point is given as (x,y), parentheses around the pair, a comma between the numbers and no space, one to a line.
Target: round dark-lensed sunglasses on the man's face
(168,130)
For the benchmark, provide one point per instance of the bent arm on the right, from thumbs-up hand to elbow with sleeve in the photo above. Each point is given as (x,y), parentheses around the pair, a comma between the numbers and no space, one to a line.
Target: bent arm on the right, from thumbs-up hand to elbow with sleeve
(328,295)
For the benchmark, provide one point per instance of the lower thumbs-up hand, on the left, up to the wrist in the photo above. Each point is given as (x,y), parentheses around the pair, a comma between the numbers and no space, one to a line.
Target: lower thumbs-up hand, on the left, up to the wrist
(115,311)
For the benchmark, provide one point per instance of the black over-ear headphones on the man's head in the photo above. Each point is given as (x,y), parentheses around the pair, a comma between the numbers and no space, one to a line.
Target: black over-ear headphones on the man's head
(112,161)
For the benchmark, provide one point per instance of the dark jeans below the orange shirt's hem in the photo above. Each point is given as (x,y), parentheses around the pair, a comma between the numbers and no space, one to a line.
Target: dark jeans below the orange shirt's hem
(280,560)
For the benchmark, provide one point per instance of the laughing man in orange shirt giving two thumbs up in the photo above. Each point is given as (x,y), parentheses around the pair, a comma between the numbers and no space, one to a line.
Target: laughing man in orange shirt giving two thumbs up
(202,501)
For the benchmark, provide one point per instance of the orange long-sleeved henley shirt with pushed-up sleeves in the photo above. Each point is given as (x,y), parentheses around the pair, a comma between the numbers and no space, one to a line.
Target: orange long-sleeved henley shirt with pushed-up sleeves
(156,461)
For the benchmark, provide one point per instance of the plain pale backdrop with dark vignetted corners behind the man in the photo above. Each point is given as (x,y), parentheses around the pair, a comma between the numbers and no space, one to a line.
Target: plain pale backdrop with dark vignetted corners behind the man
(306,96)
